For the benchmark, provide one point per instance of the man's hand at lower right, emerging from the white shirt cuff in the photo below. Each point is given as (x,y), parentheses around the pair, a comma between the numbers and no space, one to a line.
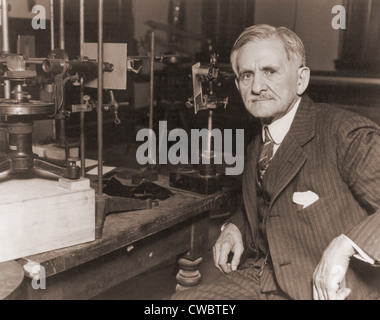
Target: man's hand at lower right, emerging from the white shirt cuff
(331,271)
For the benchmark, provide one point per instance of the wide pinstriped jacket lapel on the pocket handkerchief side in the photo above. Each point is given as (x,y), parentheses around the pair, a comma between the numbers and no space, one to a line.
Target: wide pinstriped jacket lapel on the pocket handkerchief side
(290,156)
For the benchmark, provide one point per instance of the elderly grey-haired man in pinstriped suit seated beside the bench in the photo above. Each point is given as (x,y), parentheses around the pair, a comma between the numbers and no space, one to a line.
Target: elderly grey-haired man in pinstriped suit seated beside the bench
(310,223)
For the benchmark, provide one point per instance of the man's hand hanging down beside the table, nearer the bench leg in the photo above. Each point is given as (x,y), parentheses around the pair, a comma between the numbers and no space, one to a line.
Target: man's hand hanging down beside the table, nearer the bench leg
(230,240)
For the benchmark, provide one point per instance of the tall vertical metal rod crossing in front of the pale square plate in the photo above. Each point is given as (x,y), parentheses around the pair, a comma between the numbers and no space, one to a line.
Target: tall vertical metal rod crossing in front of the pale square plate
(100,98)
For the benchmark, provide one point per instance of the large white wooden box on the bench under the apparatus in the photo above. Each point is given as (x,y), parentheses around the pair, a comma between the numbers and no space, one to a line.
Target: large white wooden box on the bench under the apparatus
(38,215)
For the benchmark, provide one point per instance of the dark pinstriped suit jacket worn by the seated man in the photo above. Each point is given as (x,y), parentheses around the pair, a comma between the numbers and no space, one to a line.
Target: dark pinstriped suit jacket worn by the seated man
(336,154)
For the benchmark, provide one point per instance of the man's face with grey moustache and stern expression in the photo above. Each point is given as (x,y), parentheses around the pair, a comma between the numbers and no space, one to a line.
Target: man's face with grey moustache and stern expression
(267,79)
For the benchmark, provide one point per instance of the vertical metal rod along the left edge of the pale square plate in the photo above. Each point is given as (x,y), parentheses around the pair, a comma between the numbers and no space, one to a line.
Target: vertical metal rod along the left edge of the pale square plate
(82,122)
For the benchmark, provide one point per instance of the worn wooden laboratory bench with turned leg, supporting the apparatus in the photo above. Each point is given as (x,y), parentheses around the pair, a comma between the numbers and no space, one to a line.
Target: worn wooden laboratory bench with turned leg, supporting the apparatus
(132,243)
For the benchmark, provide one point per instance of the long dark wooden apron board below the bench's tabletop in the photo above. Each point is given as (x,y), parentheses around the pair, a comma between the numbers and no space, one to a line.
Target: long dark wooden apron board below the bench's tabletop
(97,276)
